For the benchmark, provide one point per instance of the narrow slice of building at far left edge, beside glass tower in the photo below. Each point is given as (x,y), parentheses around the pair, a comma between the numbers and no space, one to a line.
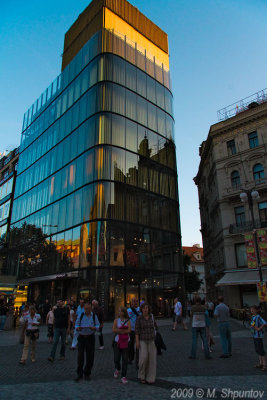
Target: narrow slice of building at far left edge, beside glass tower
(8,166)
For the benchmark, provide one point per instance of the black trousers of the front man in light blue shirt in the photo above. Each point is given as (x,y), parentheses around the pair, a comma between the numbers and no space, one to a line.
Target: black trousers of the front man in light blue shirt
(86,344)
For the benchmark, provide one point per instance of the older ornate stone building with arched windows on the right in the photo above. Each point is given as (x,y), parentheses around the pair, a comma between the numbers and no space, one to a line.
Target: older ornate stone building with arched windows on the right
(233,160)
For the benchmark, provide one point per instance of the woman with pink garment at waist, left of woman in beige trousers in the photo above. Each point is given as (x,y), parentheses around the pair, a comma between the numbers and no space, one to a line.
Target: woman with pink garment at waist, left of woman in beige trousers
(122,328)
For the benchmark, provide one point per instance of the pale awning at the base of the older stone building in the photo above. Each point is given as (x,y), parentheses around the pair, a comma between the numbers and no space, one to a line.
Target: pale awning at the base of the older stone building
(242,277)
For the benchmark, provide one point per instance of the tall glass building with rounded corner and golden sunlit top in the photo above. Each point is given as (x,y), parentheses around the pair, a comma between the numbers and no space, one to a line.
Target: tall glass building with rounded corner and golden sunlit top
(96,209)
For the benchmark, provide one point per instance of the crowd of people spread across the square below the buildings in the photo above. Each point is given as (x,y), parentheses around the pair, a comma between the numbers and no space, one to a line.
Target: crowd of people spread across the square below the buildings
(135,331)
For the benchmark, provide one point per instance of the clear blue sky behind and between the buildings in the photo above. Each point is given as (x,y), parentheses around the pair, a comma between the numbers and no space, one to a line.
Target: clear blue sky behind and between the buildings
(217,56)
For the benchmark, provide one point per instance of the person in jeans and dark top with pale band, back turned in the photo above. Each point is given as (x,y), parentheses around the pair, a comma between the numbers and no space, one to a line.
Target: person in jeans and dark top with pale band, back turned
(198,328)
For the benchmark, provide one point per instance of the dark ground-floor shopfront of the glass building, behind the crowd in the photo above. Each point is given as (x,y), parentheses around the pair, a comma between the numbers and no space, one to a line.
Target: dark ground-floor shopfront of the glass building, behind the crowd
(112,287)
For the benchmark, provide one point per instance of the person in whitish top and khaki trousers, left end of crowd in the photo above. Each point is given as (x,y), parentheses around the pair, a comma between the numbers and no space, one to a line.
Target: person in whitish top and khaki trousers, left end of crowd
(32,322)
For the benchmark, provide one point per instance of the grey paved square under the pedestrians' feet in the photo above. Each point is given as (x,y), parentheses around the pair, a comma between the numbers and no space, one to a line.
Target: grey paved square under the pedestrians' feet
(175,371)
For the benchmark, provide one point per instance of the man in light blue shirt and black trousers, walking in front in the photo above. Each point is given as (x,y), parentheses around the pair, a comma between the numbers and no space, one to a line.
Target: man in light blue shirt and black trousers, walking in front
(86,326)
